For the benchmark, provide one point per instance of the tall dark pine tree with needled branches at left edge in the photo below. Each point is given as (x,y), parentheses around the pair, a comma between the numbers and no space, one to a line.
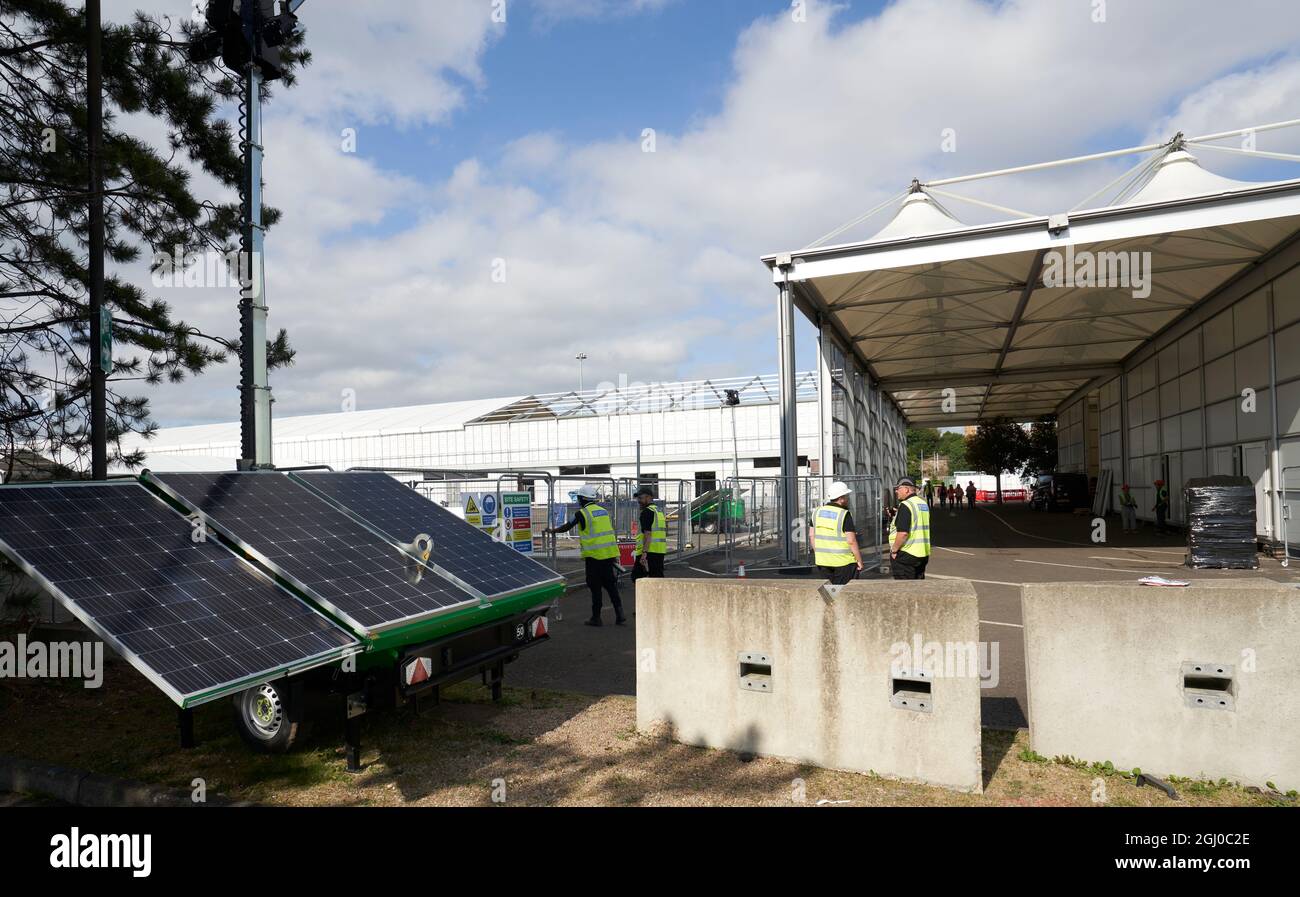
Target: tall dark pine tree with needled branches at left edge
(149,210)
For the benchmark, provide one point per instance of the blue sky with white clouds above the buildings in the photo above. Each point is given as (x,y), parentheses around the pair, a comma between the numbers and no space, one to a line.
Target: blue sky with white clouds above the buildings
(518,146)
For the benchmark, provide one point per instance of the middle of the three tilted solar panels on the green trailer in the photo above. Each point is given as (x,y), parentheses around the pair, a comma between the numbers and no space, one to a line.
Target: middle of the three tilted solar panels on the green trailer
(348,569)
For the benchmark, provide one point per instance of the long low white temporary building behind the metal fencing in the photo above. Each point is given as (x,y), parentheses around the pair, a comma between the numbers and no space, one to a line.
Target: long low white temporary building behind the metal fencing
(679,430)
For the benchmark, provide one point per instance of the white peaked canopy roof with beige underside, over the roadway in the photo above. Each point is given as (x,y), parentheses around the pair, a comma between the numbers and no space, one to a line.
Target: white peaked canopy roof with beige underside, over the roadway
(990,311)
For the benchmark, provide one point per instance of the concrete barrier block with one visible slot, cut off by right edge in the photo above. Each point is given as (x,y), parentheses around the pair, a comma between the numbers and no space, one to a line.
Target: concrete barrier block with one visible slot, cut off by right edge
(1197,682)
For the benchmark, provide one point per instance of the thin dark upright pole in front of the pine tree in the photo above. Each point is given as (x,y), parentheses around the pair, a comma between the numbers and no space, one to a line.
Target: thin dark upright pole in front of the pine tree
(96,222)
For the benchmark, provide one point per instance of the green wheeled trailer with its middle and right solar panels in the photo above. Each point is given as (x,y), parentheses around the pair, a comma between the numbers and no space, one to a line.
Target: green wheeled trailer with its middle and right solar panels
(467,610)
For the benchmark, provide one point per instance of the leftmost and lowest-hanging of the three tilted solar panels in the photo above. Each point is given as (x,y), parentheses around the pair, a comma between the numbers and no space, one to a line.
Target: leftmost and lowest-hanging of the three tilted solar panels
(196,619)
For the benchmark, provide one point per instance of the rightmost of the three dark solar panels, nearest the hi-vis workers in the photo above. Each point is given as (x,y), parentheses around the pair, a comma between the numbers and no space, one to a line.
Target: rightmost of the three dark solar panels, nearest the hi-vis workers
(460,549)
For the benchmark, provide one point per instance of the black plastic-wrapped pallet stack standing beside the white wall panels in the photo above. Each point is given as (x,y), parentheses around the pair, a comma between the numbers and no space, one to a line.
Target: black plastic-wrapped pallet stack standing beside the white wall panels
(1221,523)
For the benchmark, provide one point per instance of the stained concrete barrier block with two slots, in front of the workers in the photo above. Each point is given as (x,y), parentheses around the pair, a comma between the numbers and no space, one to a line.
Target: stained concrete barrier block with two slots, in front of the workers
(883,678)
